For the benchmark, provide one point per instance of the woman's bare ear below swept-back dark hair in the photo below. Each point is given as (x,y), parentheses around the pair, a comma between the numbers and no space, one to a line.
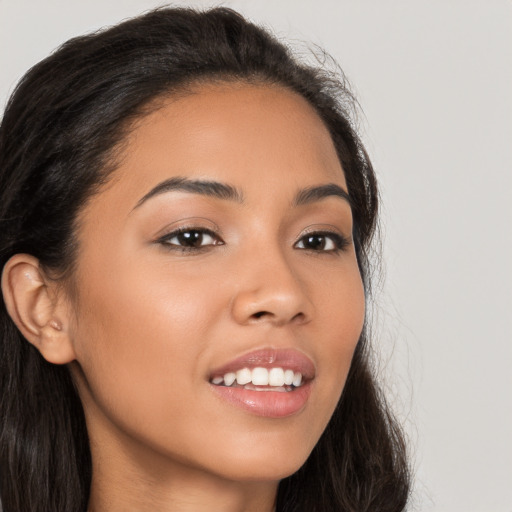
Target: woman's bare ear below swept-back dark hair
(38,307)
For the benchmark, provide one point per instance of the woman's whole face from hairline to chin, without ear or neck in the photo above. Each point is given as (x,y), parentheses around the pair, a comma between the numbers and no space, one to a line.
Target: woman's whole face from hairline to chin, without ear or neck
(222,244)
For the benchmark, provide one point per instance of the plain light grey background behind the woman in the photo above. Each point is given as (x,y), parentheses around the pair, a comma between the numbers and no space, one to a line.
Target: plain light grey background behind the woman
(434,80)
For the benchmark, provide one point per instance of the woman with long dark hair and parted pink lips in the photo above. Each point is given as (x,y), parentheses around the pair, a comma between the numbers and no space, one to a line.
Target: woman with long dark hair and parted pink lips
(186,214)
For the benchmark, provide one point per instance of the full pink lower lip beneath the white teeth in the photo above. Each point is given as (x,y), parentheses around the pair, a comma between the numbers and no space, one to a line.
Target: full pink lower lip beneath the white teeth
(269,404)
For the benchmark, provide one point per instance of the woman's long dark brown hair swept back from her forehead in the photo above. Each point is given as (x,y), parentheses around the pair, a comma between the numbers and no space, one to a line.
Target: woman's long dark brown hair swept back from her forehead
(60,135)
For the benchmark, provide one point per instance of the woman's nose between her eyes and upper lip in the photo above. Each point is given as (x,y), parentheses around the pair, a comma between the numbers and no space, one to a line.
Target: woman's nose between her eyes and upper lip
(270,291)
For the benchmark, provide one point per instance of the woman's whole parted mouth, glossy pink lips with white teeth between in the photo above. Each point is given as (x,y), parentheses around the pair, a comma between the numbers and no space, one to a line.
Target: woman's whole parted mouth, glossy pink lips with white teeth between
(285,376)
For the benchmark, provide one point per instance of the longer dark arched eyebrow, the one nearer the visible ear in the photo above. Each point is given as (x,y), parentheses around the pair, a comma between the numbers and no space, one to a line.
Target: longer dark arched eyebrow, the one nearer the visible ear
(203,187)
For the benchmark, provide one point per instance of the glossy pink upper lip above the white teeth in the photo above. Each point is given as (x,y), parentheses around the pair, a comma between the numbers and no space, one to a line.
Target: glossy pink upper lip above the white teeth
(288,359)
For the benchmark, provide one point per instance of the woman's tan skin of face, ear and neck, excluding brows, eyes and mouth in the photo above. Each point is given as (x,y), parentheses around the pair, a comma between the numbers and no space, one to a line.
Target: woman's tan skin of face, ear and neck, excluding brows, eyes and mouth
(147,322)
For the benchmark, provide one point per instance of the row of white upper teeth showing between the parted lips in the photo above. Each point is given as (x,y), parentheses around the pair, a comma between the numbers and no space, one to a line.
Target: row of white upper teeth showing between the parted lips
(275,378)
